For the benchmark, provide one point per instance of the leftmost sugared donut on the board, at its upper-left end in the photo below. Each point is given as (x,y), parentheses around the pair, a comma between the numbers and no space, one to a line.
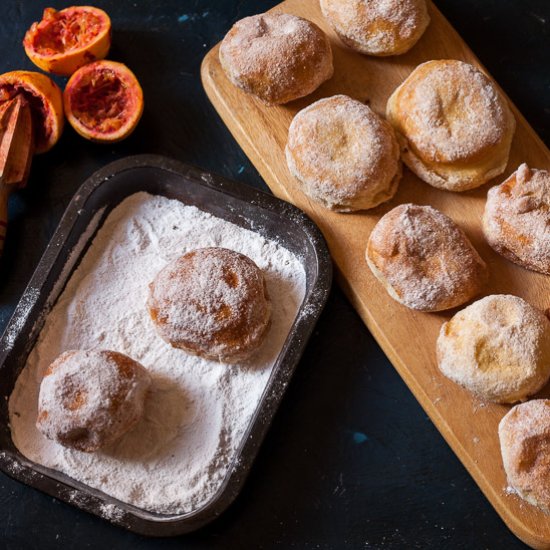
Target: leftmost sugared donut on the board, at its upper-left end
(277,57)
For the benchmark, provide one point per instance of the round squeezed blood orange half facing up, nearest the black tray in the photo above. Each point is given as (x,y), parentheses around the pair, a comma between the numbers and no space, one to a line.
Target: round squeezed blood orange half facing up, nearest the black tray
(103,101)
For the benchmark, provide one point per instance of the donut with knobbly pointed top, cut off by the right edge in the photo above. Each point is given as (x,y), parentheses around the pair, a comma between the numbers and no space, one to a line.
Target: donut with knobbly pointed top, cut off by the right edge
(517,217)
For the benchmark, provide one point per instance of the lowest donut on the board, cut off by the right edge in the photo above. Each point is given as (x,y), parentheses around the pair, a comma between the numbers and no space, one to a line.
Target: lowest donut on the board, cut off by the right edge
(524,434)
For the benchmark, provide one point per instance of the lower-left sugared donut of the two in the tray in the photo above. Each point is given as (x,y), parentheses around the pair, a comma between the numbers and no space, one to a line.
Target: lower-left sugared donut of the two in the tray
(89,399)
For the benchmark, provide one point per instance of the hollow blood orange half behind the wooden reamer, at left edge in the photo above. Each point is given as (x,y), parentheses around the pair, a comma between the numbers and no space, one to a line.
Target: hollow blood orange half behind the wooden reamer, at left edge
(45,100)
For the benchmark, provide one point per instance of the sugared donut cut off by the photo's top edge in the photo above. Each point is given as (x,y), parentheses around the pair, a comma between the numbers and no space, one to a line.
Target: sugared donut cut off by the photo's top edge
(377,28)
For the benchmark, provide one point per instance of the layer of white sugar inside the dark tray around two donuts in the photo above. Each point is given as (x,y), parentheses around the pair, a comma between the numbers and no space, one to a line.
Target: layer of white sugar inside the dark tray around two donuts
(197,412)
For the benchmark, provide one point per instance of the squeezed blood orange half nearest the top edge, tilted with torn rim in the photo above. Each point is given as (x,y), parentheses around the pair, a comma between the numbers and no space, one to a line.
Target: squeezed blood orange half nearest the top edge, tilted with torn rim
(68,39)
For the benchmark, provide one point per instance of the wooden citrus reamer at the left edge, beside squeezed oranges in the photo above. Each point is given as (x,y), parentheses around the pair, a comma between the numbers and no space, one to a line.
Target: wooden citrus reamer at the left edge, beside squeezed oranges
(16,151)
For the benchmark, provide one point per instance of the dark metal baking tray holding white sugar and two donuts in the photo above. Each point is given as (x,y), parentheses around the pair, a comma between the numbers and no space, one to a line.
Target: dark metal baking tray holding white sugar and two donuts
(237,203)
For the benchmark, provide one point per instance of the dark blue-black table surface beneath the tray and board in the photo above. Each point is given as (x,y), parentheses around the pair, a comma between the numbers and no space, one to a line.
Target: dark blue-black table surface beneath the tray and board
(351,460)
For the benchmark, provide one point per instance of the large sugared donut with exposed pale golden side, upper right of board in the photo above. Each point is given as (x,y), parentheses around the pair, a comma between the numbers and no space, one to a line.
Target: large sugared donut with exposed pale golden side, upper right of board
(454,127)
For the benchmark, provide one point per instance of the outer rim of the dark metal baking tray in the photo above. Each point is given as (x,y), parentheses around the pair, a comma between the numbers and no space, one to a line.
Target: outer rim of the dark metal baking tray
(86,498)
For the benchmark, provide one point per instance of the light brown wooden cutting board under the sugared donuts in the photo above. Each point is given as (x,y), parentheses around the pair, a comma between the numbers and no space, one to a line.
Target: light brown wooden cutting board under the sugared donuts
(407,337)
